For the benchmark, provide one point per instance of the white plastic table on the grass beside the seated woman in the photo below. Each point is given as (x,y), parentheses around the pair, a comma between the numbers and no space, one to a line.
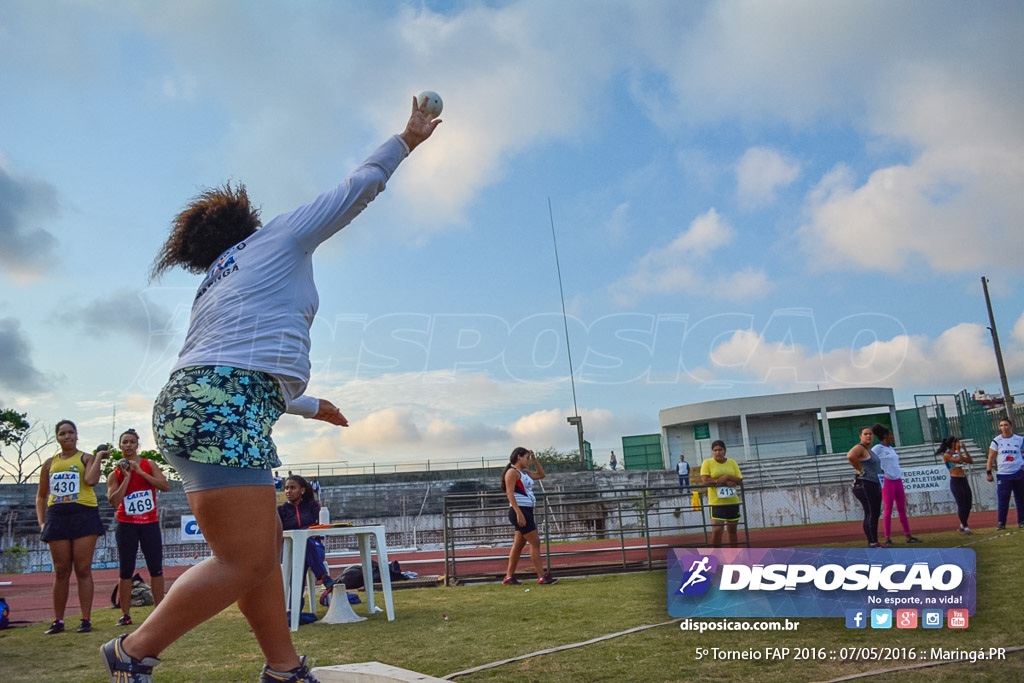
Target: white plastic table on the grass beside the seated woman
(293,564)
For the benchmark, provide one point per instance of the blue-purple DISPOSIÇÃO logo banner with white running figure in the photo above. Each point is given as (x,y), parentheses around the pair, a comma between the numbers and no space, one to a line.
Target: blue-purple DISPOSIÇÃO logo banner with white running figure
(826,582)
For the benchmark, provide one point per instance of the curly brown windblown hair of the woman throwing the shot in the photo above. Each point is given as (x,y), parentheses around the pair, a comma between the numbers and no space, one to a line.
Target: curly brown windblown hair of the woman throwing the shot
(212,222)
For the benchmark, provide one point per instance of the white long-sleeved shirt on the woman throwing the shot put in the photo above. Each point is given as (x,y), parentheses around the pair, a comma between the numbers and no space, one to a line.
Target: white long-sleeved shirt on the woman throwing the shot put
(257,306)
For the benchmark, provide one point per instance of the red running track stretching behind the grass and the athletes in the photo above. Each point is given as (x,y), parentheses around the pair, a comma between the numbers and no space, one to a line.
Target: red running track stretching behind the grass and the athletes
(30,599)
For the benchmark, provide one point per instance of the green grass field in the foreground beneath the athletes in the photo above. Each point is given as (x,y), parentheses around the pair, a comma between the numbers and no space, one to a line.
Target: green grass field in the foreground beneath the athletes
(490,623)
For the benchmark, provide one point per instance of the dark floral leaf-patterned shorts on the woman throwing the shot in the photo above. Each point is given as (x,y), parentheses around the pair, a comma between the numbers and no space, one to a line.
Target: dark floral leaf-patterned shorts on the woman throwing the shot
(219,415)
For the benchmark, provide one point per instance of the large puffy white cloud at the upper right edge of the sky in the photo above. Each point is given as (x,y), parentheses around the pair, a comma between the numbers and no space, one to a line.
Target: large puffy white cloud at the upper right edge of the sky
(957,199)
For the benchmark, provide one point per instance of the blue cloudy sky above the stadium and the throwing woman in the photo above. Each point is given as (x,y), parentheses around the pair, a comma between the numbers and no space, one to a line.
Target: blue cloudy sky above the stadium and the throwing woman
(749,198)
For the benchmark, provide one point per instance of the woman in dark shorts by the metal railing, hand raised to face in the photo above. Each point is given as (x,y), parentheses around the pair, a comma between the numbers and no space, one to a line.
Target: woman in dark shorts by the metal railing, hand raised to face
(519,484)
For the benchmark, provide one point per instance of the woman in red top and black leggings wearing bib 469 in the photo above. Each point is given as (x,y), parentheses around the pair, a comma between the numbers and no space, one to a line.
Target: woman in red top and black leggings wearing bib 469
(132,488)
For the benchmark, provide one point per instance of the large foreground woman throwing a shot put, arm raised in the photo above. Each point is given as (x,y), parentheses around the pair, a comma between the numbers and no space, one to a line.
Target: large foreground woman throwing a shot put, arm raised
(245,362)
